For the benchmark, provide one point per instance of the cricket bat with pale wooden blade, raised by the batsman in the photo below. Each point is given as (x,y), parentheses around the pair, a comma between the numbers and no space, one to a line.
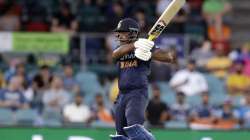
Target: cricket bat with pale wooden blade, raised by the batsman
(165,18)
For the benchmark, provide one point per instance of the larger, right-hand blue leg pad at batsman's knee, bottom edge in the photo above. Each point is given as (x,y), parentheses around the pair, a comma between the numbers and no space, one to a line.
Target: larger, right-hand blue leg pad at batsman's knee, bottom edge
(138,132)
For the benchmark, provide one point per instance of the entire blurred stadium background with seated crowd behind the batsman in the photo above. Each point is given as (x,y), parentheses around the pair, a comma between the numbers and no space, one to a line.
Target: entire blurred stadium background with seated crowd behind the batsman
(56,69)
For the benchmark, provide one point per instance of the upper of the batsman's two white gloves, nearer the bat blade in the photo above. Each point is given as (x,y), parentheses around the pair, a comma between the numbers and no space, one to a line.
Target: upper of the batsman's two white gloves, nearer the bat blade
(144,44)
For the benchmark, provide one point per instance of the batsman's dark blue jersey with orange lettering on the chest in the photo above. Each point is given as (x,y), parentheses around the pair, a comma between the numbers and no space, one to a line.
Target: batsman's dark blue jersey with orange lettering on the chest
(133,73)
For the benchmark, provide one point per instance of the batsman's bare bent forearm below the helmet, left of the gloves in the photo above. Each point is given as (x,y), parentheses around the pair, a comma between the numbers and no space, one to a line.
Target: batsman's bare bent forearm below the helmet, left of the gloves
(122,50)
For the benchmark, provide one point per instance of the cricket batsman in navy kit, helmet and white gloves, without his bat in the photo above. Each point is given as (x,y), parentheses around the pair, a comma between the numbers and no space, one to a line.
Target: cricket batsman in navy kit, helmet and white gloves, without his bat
(133,57)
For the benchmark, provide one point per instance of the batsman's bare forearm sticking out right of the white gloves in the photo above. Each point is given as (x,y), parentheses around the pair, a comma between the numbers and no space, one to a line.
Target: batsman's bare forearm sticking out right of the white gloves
(164,56)
